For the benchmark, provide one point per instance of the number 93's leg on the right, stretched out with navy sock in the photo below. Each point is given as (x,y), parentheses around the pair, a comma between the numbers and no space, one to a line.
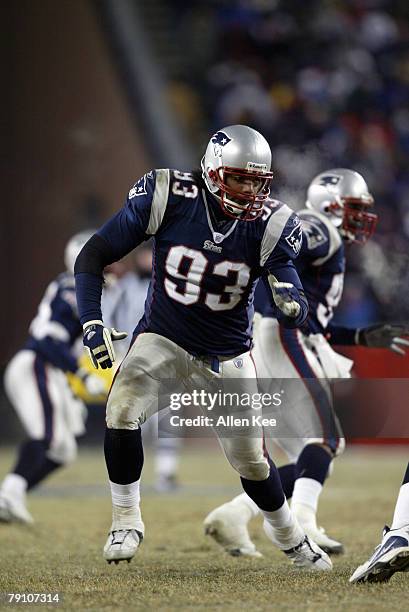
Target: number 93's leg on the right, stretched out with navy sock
(259,477)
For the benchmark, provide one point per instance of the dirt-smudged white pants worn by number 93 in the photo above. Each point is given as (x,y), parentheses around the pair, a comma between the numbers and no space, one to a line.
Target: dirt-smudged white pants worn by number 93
(138,391)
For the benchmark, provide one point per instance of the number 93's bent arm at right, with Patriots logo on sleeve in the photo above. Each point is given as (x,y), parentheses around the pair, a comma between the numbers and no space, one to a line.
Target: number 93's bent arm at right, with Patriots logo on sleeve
(285,233)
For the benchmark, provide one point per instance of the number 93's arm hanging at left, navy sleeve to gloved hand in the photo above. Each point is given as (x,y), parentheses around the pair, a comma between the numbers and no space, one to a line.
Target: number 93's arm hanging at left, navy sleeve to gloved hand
(137,221)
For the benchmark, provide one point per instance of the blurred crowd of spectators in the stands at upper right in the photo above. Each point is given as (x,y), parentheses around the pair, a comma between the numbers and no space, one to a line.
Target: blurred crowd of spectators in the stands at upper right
(327,83)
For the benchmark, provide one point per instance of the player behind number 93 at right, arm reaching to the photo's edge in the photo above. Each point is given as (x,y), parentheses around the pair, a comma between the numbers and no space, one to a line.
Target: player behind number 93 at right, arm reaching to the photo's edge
(338,212)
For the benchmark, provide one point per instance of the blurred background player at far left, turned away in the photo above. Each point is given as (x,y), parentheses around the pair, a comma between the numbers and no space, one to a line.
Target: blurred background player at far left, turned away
(38,389)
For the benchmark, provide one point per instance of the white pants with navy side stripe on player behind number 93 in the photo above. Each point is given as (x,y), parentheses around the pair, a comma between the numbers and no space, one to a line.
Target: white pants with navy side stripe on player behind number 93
(306,414)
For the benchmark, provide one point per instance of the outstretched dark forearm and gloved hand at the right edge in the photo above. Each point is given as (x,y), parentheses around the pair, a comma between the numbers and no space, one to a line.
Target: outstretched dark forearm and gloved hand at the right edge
(381,335)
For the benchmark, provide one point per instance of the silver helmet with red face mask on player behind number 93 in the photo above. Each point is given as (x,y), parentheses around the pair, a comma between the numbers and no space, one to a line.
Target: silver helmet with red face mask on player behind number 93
(343,196)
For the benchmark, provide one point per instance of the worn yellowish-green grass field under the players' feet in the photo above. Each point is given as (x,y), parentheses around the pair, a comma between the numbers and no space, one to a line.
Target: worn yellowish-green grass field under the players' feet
(177,568)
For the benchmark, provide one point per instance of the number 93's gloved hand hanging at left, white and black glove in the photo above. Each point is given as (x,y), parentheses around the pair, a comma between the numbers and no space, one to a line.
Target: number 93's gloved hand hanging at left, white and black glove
(98,340)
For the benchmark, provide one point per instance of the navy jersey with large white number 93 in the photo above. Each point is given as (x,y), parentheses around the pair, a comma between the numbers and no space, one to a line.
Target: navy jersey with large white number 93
(204,268)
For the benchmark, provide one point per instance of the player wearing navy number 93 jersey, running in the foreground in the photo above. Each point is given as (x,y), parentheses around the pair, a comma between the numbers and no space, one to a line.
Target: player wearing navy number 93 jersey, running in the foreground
(214,234)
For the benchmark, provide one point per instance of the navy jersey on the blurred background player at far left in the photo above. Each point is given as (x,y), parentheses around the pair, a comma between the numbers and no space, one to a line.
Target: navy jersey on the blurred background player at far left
(56,326)
